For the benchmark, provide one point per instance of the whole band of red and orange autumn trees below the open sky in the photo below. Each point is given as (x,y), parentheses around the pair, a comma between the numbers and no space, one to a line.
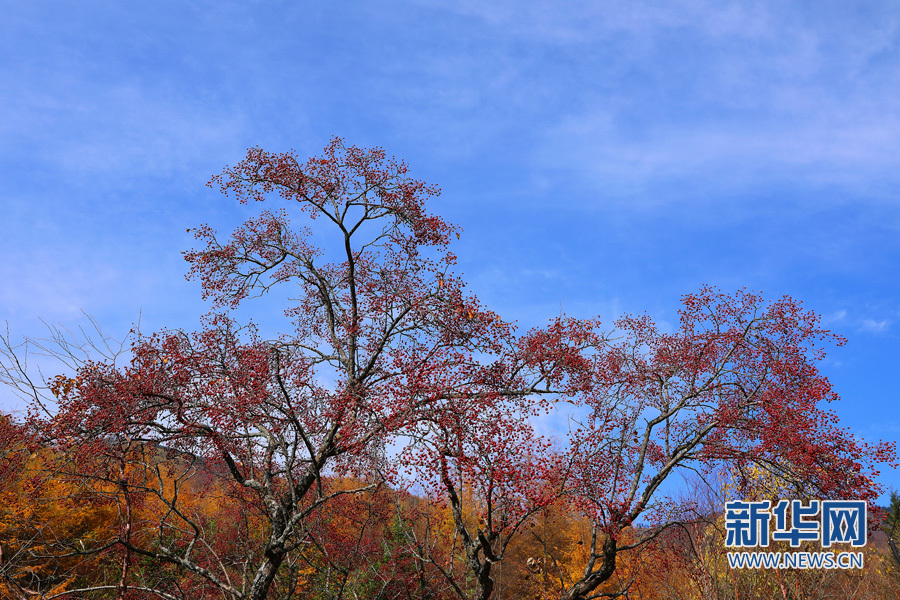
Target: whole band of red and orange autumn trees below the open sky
(383,446)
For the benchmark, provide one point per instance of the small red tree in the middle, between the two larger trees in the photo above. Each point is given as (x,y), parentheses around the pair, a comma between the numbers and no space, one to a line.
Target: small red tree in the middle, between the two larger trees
(492,474)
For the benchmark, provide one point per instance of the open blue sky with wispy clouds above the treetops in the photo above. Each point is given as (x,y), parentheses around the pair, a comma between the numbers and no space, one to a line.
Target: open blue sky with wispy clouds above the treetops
(602,157)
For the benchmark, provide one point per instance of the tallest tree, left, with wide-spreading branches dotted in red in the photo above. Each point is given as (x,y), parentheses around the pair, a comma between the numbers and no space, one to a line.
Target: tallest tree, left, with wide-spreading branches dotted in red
(384,337)
